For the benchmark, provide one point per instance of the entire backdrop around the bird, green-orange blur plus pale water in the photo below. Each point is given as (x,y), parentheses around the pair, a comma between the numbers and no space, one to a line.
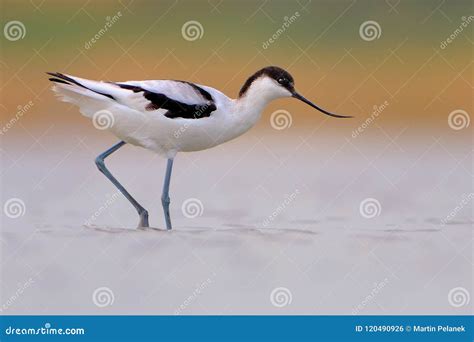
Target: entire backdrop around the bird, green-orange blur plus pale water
(402,68)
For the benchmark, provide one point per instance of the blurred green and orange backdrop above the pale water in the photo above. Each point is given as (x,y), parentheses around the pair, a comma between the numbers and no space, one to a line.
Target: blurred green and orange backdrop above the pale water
(322,47)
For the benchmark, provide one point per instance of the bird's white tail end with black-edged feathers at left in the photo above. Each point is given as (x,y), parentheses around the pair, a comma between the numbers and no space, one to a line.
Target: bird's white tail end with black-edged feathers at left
(90,96)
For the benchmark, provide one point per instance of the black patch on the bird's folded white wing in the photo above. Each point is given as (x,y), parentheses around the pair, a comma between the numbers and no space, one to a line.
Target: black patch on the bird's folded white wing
(176,109)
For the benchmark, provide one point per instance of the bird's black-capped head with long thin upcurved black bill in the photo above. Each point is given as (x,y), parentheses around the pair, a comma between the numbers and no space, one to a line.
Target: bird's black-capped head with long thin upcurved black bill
(273,82)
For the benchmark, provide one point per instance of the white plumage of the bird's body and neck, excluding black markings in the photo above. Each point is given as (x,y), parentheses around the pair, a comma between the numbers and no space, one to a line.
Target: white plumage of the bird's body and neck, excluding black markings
(133,123)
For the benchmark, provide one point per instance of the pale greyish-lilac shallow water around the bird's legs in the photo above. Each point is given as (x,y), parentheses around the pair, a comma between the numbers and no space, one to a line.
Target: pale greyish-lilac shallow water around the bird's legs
(231,257)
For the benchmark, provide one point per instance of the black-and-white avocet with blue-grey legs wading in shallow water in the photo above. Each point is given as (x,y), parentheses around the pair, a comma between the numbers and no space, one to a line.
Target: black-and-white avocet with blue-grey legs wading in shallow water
(169,116)
